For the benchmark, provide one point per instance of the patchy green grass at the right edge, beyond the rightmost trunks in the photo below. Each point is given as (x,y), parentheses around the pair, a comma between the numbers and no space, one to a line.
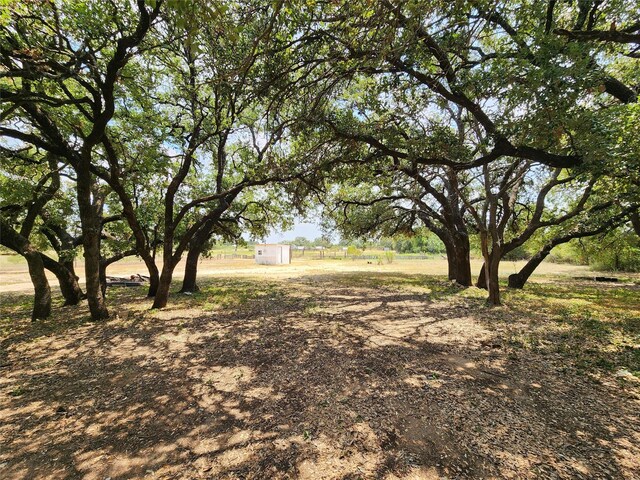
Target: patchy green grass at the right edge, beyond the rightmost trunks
(596,327)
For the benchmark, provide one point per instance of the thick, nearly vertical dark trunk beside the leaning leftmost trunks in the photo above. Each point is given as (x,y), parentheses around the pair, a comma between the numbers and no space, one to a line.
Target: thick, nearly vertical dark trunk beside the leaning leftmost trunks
(91,227)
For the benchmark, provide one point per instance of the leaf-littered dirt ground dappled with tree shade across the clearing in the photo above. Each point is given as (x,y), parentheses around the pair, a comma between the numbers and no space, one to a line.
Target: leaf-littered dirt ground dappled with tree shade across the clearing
(369,372)
